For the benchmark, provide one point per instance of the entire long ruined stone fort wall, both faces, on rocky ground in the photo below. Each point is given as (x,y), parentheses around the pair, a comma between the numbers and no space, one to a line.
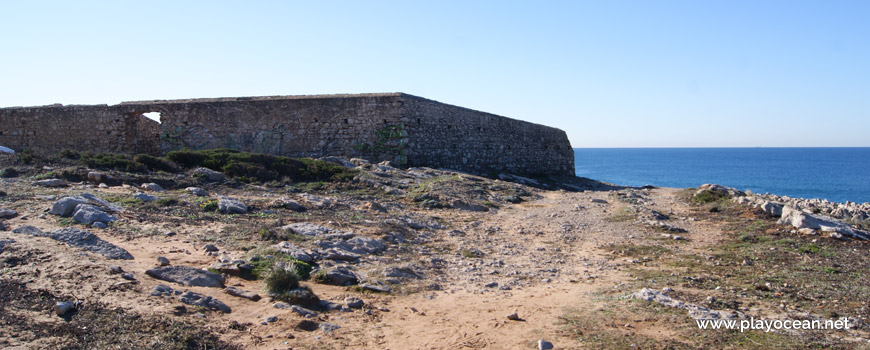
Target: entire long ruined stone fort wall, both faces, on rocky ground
(406,129)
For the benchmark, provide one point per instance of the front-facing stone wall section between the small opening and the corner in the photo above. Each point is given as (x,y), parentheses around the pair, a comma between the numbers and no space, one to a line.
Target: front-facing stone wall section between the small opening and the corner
(295,127)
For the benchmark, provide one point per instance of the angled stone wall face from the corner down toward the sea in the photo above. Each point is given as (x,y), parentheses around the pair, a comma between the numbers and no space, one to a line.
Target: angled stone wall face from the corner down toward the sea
(447,136)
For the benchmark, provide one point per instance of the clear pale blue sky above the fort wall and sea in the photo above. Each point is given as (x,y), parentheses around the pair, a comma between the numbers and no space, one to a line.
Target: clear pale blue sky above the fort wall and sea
(609,73)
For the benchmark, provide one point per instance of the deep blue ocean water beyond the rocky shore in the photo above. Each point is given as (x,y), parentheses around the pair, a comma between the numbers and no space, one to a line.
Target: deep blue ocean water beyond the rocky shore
(836,174)
